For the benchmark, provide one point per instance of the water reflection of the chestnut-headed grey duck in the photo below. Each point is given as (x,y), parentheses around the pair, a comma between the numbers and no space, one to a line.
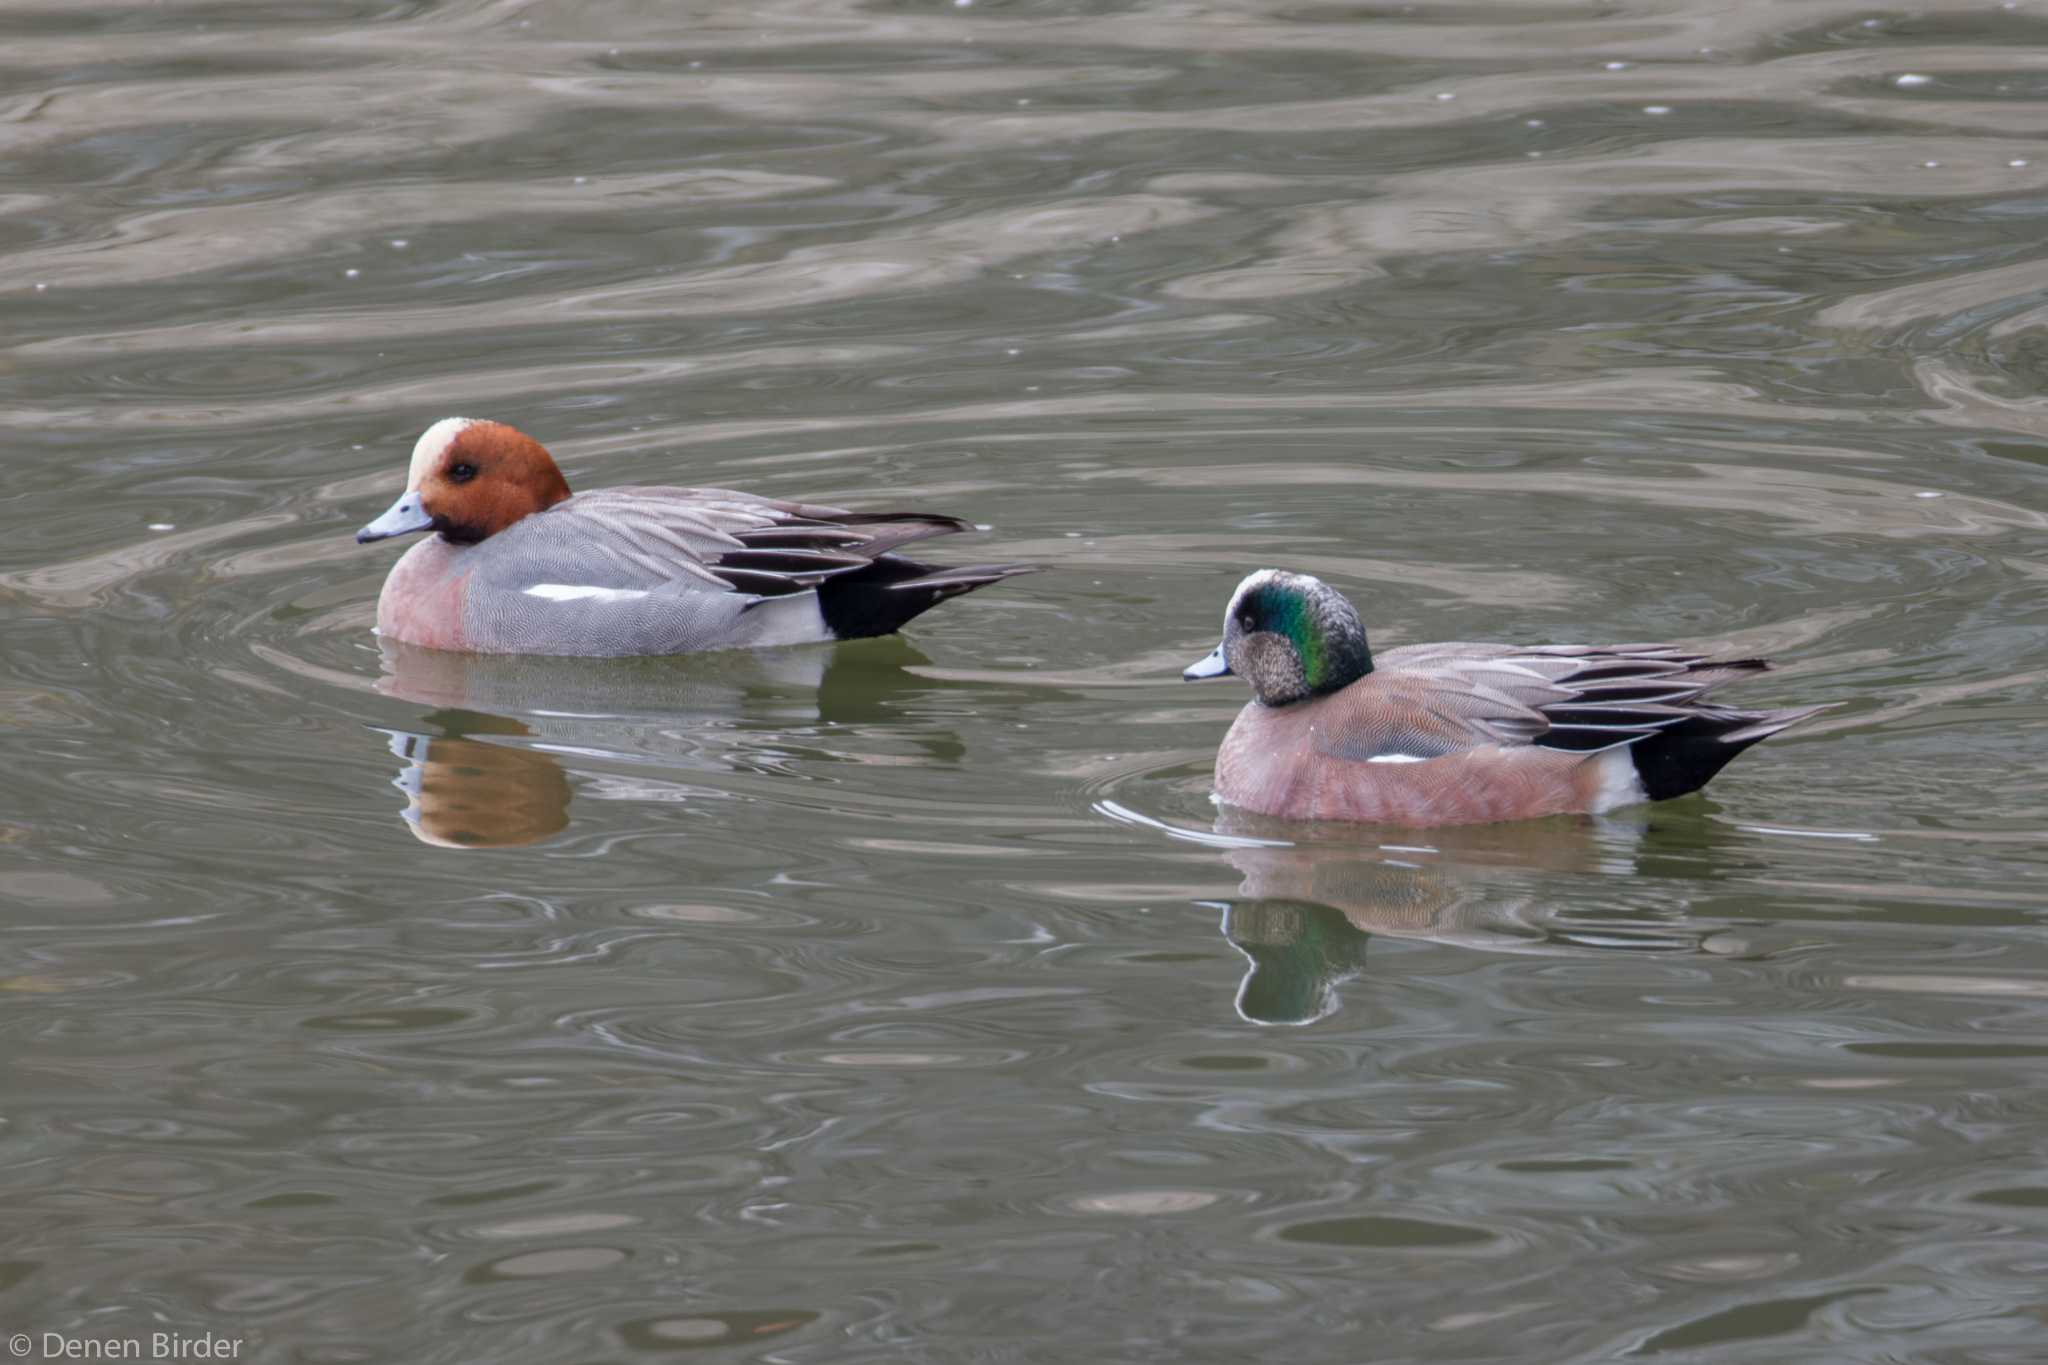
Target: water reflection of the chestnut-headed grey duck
(482,777)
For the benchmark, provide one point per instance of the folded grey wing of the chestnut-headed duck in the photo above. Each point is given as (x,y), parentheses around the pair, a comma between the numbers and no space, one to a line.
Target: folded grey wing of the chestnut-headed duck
(712,539)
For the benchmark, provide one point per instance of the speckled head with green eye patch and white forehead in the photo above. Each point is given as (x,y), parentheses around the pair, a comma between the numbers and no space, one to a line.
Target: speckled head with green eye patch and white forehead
(1291,637)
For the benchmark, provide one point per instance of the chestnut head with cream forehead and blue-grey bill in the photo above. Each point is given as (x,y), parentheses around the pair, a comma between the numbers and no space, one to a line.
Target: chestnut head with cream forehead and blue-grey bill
(470,480)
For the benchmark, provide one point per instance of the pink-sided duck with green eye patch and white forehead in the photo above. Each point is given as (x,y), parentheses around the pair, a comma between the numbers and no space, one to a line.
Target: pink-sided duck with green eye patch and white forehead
(1459,734)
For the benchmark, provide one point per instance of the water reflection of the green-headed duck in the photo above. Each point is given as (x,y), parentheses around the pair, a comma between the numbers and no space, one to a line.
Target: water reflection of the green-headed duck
(1308,912)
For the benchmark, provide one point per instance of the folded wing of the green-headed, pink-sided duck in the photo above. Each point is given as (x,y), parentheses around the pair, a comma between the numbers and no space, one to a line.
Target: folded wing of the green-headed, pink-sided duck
(1428,701)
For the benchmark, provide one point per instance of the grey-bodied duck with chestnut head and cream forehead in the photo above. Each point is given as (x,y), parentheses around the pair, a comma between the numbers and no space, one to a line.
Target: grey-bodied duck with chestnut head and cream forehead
(519,566)
